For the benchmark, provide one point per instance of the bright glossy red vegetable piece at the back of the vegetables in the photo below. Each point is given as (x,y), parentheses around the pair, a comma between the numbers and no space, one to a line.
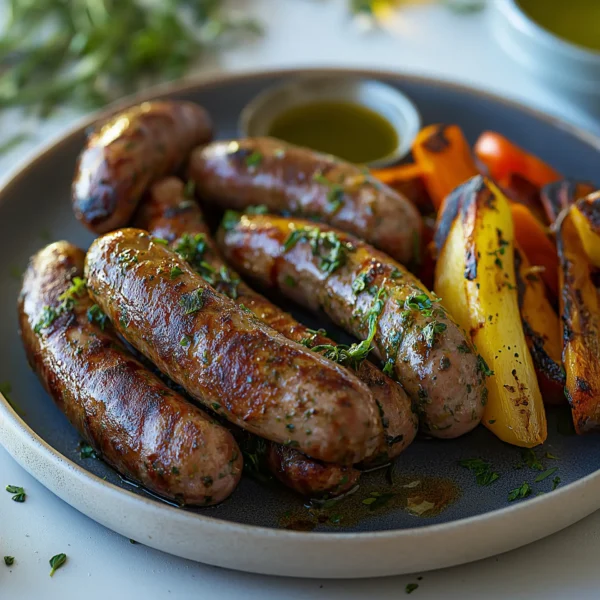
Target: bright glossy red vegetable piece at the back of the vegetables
(503,158)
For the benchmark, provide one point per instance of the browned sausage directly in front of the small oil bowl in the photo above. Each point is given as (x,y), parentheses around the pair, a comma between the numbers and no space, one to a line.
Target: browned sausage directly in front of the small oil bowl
(293,180)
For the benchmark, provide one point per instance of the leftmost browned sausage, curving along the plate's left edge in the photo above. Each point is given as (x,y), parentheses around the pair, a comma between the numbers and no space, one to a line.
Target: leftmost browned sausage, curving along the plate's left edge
(147,432)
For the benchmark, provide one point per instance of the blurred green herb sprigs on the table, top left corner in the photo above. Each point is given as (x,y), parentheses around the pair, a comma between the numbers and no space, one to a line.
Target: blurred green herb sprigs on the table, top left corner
(89,52)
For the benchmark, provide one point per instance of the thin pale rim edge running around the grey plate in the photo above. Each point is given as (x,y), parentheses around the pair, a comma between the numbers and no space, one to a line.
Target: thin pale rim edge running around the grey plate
(37,444)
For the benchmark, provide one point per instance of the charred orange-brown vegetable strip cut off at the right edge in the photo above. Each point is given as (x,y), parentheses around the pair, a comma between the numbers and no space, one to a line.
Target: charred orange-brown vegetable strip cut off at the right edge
(580,313)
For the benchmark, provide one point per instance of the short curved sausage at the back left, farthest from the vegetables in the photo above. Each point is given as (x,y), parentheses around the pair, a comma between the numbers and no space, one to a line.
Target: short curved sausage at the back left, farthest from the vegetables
(132,149)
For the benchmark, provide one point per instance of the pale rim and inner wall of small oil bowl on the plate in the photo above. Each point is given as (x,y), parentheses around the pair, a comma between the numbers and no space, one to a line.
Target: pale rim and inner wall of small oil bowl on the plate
(387,102)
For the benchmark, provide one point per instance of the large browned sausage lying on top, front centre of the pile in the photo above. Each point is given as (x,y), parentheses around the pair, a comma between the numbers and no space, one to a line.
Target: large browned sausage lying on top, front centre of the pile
(224,356)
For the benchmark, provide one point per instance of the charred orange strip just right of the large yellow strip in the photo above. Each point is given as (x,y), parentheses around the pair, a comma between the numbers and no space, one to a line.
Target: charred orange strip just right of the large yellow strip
(542,330)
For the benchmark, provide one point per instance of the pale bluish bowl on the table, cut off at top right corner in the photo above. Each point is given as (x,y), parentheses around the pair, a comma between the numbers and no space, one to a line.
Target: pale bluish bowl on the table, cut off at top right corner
(572,70)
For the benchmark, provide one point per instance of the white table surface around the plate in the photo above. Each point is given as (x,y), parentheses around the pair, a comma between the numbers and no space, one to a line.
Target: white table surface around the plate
(426,40)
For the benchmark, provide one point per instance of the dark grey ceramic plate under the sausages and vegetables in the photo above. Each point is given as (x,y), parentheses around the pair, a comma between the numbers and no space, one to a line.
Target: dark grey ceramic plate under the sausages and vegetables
(248,531)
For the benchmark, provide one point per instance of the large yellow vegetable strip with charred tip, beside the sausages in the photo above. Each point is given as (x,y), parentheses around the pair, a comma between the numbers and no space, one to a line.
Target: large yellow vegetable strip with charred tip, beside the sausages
(475,275)
